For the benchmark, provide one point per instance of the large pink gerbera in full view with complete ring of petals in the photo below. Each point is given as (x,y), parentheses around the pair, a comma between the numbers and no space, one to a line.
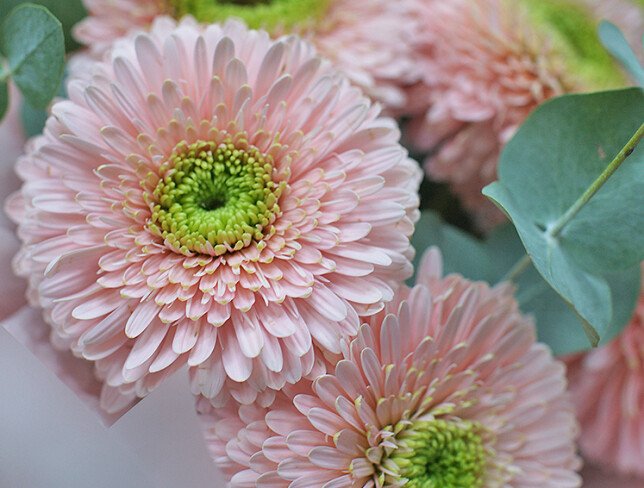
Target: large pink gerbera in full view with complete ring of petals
(212,197)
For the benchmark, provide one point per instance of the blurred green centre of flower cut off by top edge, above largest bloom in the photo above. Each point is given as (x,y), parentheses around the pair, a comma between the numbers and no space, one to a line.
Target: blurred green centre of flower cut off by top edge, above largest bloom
(268,14)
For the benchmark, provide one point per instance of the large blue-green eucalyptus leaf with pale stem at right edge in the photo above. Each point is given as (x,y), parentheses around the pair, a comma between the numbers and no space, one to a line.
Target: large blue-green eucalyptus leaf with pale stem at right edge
(558,153)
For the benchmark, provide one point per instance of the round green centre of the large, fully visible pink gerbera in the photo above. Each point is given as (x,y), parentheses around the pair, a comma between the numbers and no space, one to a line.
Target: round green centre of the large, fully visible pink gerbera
(215,198)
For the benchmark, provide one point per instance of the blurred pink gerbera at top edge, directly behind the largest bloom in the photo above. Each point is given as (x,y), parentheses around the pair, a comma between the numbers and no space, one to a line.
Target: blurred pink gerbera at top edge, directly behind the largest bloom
(370,41)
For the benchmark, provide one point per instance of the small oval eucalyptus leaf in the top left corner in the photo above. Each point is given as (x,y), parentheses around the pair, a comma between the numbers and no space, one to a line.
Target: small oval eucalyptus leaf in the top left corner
(32,41)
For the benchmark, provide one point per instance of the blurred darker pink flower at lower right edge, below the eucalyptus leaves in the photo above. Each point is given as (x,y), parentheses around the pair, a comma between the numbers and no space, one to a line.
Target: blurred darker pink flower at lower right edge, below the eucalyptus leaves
(607,385)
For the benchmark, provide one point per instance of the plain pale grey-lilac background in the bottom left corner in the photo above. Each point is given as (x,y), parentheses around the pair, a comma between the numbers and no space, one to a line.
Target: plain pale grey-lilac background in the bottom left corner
(50,439)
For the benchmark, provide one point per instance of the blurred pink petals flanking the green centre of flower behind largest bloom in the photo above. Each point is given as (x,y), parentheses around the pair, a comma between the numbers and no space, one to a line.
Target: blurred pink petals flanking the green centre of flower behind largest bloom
(371,42)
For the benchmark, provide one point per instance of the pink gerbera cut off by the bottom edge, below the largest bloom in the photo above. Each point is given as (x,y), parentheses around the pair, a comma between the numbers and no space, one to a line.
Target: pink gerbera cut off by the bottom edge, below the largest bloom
(445,388)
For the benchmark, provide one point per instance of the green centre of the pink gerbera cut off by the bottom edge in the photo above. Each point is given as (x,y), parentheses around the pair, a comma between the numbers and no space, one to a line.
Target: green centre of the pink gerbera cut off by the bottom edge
(441,454)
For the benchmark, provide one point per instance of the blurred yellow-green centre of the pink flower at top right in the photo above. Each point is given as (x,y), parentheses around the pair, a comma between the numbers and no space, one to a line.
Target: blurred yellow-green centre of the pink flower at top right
(572,29)
